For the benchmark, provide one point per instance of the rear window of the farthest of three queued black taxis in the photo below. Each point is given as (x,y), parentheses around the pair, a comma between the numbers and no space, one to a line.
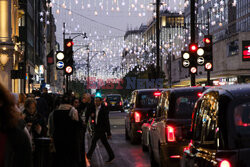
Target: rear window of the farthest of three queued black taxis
(146,100)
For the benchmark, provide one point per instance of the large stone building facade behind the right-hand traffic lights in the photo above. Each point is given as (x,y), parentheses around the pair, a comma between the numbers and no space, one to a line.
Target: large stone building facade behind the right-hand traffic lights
(228,21)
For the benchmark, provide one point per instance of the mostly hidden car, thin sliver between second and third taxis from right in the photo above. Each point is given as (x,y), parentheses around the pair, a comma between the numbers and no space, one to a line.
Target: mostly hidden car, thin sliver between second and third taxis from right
(146,126)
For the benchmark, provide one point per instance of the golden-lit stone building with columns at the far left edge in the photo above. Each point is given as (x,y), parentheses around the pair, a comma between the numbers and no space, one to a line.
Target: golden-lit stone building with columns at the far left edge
(10,48)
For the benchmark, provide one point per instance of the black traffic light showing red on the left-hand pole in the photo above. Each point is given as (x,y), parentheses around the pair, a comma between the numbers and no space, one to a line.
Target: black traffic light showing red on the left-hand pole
(68,53)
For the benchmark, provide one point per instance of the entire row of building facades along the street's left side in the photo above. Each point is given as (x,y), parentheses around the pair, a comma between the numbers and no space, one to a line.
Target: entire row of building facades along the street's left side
(24,31)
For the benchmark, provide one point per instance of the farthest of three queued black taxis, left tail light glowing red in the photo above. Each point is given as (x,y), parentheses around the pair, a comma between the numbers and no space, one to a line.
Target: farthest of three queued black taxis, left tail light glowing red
(142,107)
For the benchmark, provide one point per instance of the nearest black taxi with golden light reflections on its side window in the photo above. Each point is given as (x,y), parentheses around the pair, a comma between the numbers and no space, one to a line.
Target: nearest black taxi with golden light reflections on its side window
(220,133)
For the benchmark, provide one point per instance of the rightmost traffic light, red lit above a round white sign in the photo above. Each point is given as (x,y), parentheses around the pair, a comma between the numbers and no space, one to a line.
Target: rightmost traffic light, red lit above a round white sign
(208,52)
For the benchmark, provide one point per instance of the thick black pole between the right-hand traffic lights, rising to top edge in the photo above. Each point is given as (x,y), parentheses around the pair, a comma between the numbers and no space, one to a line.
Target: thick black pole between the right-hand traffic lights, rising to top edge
(192,12)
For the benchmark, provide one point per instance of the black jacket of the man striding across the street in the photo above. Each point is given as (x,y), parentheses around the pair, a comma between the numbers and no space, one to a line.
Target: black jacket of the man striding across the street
(103,124)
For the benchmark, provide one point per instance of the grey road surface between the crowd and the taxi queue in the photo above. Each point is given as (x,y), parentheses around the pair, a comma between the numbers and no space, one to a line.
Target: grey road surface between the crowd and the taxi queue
(126,155)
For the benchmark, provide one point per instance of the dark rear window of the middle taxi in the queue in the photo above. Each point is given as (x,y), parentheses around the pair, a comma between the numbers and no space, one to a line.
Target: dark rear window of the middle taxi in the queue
(184,105)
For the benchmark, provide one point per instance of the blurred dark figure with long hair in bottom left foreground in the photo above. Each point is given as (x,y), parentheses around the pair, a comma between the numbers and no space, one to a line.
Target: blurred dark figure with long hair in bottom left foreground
(15,148)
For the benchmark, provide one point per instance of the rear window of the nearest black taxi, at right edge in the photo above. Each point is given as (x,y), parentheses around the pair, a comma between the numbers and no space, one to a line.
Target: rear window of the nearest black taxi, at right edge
(242,119)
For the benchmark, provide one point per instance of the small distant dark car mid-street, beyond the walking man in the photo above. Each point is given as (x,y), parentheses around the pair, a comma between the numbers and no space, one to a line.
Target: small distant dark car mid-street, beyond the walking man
(114,102)
